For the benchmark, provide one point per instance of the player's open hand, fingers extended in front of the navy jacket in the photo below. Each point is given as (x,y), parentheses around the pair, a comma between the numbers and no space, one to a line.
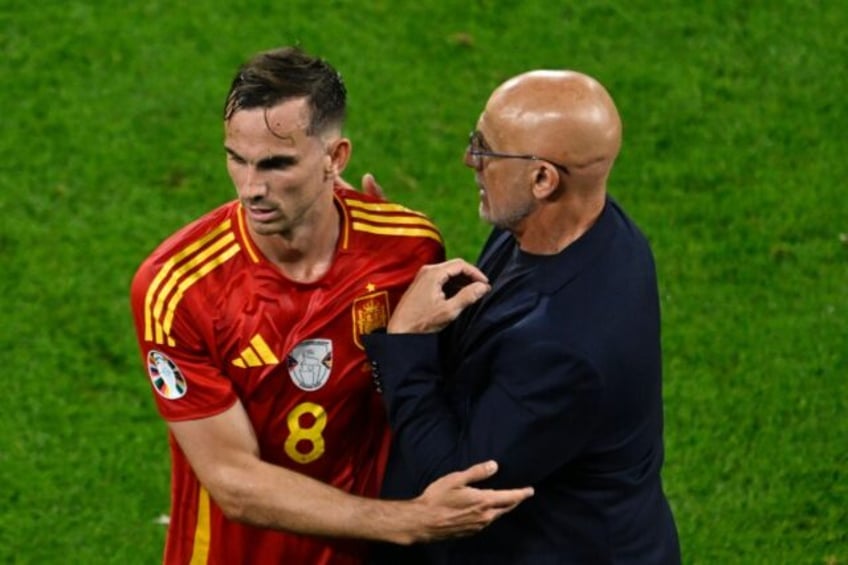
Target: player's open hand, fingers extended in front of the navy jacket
(450,507)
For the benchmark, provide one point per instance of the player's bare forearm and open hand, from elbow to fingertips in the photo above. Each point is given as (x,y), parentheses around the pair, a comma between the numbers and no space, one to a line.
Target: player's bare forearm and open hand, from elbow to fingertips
(273,497)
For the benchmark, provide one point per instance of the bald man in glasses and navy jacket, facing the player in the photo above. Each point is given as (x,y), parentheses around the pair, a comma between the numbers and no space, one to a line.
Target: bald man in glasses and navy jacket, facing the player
(546,355)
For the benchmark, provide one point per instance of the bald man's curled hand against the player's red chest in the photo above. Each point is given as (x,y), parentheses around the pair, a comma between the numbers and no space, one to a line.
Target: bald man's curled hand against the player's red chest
(437,296)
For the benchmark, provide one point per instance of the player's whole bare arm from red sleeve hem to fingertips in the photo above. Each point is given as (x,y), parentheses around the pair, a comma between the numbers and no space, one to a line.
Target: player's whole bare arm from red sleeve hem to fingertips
(224,454)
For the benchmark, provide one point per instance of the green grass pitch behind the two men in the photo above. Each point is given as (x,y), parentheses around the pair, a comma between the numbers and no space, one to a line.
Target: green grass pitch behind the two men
(733,164)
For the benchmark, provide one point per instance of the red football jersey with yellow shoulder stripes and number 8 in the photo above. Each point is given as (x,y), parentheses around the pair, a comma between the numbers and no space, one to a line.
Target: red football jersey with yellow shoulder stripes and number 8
(217,323)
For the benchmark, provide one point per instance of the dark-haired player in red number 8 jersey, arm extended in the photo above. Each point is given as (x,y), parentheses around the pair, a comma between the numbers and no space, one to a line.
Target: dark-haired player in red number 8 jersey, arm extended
(250,323)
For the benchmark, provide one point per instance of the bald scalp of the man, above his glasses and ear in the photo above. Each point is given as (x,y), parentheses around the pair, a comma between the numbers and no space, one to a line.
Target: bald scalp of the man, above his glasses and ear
(561,115)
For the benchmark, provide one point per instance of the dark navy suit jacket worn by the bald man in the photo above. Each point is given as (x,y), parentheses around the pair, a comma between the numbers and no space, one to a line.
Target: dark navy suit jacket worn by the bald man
(556,375)
